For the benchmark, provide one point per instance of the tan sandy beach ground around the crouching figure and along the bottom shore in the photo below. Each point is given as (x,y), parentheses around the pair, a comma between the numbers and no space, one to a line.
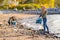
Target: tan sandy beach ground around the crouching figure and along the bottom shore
(10,33)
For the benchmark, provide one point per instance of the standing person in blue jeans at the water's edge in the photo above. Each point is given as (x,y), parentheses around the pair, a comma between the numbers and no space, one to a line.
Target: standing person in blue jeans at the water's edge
(44,17)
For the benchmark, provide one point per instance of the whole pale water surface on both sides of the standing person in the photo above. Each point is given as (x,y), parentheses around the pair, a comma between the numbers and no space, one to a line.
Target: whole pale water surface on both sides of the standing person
(53,23)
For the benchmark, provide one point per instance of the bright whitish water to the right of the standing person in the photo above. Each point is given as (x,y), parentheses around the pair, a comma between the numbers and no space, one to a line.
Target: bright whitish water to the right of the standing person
(54,23)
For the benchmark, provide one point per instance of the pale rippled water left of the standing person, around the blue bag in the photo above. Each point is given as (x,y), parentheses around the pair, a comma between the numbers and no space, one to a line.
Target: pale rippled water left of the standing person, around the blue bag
(31,23)
